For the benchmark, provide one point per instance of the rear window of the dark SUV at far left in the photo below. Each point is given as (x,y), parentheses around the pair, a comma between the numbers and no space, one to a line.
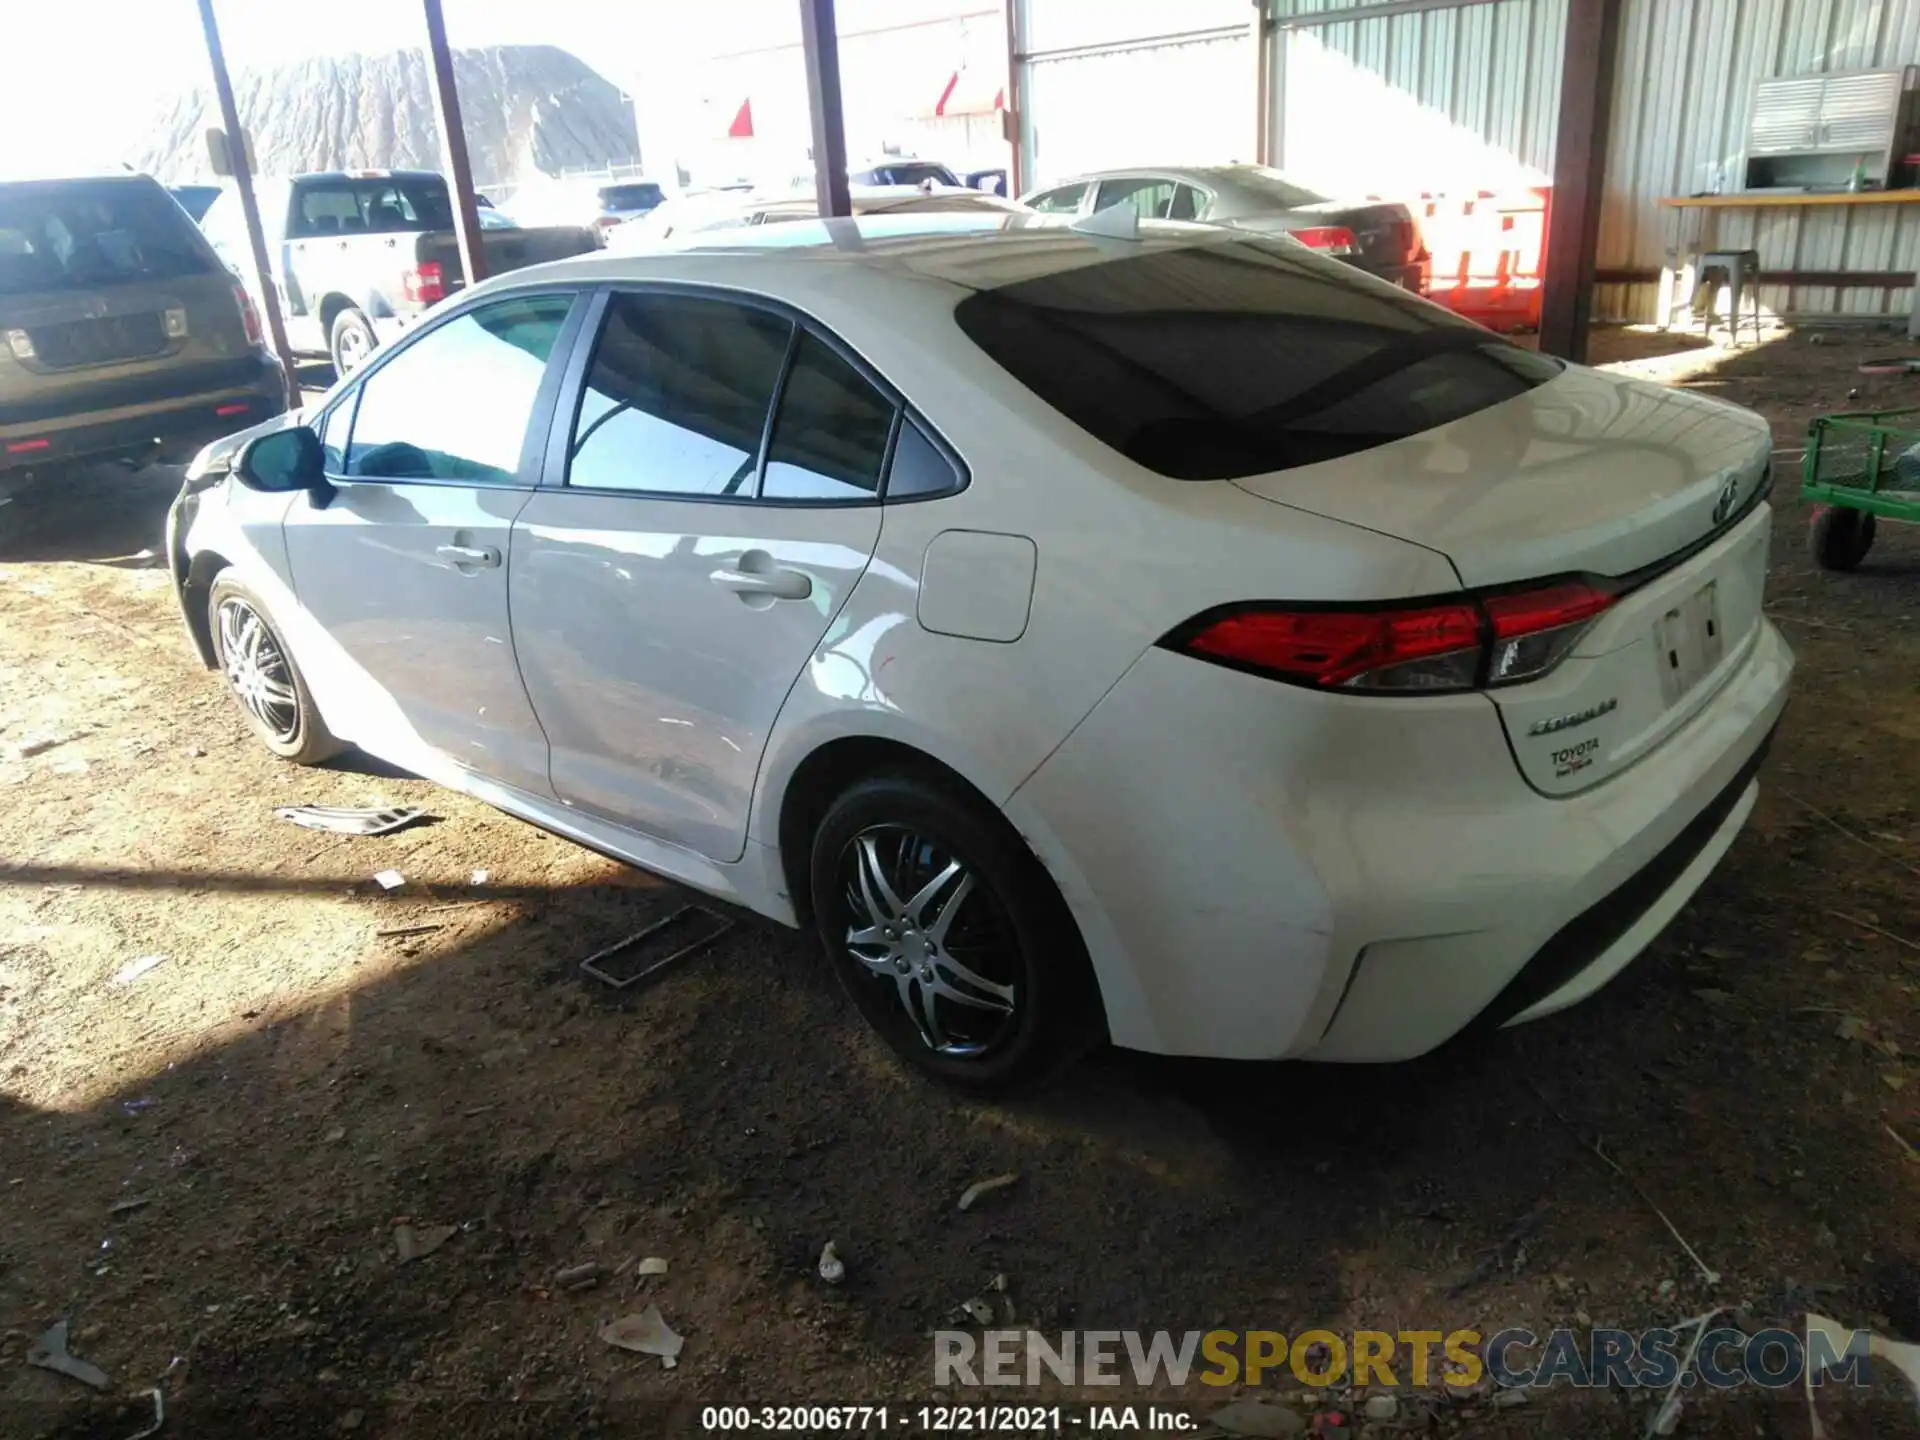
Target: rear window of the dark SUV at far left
(91,235)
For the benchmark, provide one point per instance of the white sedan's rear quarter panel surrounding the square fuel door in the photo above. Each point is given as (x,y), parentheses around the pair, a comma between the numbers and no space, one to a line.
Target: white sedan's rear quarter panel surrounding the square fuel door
(1122,558)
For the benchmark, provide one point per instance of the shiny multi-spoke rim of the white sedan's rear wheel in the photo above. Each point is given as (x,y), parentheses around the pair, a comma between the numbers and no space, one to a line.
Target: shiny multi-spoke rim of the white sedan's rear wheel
(926,928)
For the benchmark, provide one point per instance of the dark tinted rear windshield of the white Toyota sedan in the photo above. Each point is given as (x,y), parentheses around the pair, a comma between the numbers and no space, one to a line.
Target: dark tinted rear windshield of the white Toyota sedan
(1230,360)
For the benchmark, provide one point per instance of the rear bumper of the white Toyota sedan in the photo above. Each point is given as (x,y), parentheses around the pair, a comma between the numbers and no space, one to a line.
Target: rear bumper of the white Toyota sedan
(1266,871)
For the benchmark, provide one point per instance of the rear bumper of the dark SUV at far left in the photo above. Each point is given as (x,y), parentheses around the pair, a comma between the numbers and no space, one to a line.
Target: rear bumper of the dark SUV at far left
(147,416)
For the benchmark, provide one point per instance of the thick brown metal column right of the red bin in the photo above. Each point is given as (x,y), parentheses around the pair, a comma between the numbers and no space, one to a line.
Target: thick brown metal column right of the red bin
(1579,176)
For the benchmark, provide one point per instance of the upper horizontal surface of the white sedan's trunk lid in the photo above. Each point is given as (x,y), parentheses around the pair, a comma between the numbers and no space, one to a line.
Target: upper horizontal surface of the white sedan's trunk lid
(1589,473)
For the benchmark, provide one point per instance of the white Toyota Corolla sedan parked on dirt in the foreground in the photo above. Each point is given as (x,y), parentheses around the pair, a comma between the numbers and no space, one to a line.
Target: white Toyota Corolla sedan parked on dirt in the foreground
(1178,638)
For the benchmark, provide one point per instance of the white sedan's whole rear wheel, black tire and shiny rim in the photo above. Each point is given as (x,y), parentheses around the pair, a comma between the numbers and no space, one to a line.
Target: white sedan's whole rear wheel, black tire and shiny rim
(949,936)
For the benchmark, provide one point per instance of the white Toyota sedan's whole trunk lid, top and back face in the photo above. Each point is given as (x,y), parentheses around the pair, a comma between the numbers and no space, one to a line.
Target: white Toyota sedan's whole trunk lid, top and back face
(1623,481)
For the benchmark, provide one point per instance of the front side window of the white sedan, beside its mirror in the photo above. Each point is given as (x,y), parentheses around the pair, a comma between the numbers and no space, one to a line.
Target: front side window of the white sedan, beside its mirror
(456,402)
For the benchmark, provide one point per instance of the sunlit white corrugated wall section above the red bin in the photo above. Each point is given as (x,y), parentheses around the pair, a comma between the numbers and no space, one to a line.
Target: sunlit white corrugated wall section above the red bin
(1449,99)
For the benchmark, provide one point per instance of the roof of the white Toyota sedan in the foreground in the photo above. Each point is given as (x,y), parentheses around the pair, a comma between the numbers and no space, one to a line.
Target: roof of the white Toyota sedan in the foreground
(967,251)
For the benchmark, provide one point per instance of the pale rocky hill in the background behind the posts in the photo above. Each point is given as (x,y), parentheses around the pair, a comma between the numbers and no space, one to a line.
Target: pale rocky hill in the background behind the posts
(525,108)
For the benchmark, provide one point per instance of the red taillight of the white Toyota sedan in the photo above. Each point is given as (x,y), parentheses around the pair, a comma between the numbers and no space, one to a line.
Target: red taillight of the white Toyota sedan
(1493,640)
